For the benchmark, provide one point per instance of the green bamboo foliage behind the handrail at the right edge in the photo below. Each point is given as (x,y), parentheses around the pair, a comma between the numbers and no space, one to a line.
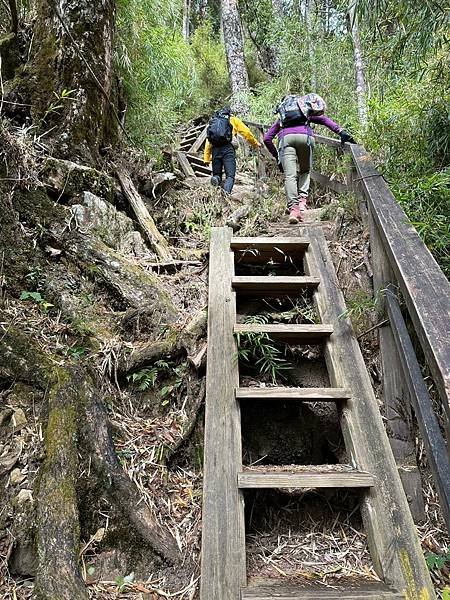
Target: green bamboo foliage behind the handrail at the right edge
(409,130)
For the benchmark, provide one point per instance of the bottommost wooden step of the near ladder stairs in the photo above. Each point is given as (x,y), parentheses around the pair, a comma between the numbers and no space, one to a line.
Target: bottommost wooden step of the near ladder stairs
(374,591)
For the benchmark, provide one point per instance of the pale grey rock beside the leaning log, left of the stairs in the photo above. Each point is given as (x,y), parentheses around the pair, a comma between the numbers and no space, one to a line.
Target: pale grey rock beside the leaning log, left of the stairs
(113,227)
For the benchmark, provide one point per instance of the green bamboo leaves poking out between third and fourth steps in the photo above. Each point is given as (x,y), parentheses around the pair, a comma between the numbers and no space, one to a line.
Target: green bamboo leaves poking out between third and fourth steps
(257,349)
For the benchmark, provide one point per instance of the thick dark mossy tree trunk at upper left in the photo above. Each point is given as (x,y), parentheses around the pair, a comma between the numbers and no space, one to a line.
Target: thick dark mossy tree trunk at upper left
(71,82)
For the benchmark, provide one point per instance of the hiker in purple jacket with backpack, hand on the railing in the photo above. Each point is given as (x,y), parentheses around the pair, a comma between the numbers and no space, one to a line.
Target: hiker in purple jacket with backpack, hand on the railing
(295,146)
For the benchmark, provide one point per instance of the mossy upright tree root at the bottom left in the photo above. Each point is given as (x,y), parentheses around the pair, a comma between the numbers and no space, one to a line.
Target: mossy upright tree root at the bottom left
(58,532)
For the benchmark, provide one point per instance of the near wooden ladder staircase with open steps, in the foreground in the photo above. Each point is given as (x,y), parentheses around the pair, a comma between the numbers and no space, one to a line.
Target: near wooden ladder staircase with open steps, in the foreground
(391,534)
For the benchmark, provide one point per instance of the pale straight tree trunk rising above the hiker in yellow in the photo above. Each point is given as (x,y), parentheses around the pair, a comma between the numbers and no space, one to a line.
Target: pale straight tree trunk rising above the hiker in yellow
(234,48)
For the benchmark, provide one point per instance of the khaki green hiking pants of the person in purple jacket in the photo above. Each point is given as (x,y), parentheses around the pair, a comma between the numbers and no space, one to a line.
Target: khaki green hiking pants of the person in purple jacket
(296,151)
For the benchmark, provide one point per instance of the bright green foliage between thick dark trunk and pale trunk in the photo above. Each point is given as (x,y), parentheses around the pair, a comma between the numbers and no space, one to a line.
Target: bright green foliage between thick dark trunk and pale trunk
(166,79)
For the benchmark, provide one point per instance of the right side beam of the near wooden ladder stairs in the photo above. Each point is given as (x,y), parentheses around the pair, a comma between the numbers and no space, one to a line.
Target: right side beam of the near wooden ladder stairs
(391,534)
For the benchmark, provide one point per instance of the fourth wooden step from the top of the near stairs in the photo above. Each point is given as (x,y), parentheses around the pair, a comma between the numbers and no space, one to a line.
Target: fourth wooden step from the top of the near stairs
(284,393)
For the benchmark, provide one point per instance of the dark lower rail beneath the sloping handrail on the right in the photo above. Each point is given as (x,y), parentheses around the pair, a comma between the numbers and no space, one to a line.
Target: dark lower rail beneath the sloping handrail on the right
(433,440)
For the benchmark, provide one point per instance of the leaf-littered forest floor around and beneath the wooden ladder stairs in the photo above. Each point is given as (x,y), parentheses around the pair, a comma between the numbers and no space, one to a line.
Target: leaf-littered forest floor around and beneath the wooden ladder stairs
(154,403)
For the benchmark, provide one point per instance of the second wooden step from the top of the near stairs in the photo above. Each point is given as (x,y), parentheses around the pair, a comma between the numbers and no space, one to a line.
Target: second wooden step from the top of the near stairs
(275,285)
